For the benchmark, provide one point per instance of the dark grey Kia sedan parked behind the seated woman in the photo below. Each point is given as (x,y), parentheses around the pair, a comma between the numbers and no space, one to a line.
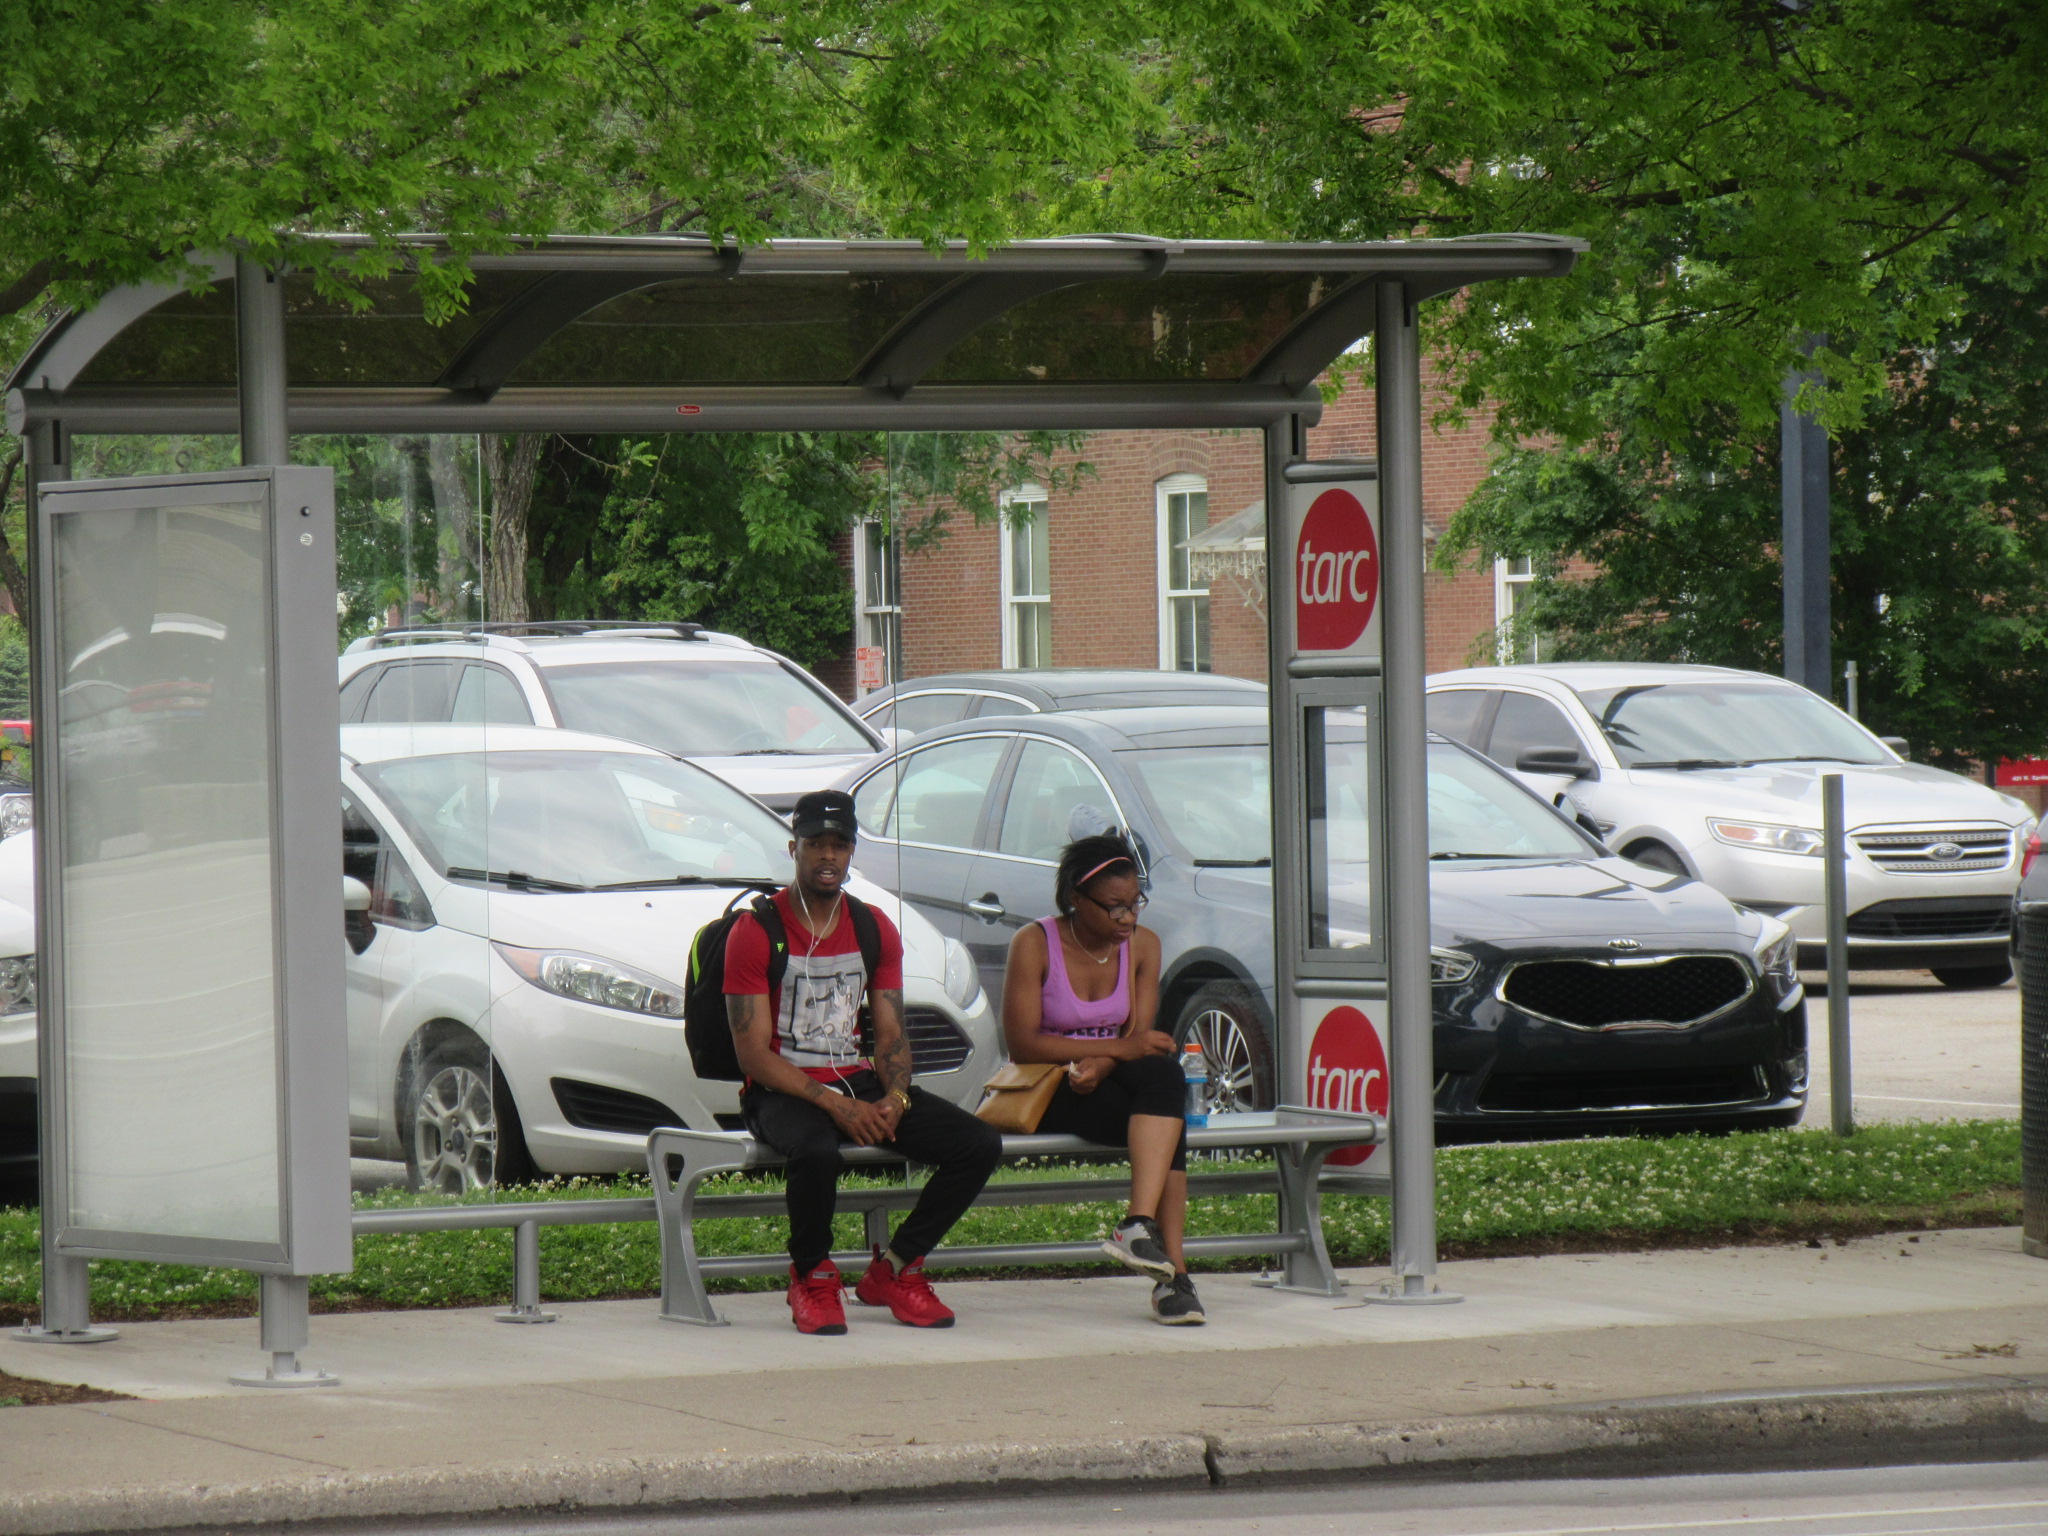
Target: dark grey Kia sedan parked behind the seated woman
(1574,990)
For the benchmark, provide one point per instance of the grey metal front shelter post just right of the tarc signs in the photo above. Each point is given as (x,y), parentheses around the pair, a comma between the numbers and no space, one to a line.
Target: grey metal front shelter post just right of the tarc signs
(1412,1033)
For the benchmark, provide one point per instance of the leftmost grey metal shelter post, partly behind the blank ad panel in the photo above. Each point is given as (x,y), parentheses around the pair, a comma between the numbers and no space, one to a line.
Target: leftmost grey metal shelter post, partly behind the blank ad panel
(67,1308)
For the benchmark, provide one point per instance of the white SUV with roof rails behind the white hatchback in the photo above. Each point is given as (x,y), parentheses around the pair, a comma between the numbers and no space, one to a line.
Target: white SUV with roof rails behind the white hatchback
(753,718)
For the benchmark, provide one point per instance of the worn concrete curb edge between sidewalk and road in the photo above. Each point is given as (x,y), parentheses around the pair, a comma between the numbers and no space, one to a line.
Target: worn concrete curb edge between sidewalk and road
(2004,1418)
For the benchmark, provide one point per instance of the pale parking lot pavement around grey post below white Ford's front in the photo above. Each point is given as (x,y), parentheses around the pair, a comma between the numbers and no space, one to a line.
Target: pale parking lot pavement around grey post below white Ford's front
(1920,1050)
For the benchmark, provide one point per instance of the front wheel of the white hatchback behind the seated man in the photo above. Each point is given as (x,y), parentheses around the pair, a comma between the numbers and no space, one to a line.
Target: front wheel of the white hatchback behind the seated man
(460,1123)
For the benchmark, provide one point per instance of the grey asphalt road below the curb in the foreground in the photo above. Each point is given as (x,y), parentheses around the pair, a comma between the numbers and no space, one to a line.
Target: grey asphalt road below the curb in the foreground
(2006,1498)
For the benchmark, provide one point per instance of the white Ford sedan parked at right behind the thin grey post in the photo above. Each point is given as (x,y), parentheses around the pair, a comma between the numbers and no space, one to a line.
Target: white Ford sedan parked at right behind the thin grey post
(1717,773)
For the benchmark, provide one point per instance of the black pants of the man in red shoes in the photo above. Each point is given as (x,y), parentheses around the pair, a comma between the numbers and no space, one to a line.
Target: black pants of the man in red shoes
(957,1148)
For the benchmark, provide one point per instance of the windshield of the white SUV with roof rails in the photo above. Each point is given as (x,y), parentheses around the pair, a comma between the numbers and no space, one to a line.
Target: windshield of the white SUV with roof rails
(703,710)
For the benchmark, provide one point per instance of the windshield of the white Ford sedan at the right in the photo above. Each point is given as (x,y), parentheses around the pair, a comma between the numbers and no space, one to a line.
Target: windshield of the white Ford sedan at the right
(1725,724)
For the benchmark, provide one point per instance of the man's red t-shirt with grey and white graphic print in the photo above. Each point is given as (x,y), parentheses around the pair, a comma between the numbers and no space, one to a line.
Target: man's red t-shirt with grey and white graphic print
(818,1007)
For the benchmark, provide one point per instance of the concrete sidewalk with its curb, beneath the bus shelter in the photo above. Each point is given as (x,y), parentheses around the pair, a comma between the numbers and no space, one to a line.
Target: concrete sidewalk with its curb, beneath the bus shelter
(1693,1357)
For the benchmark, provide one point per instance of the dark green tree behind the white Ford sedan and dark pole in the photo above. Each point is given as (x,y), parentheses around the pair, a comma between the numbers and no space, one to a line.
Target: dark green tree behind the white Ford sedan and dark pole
(1940,534)
